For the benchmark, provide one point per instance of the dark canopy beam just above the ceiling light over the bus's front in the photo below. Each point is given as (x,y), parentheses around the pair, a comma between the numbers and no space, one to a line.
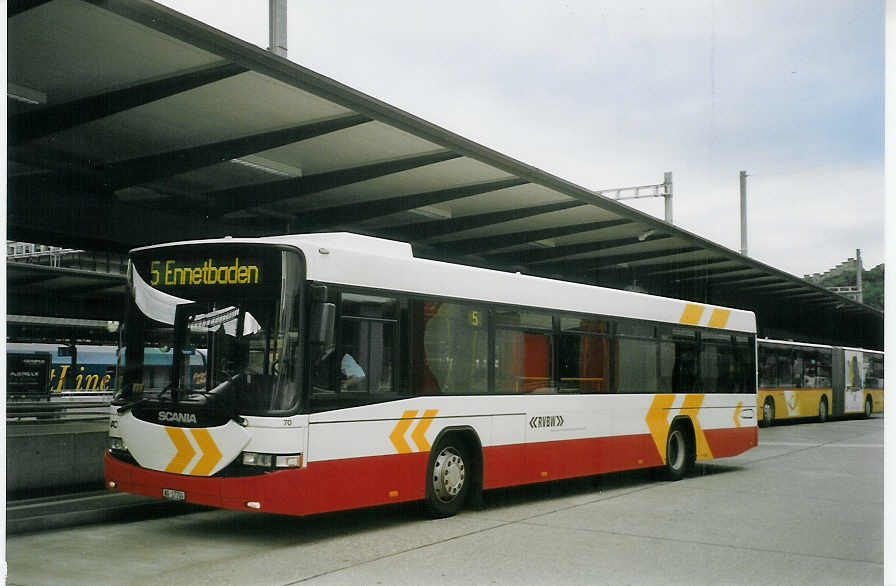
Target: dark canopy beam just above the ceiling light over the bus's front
(150,168)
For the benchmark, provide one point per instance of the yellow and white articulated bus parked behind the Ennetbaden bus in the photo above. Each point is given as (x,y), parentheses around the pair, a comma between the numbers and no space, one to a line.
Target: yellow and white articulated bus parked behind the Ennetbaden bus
(800,380)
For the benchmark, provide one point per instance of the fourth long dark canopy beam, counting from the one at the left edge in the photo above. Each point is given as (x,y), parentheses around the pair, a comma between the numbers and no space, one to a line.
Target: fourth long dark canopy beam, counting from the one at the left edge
(324,217)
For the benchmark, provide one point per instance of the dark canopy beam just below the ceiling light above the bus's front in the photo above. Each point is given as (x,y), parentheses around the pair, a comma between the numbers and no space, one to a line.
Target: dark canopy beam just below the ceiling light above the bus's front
(258,194)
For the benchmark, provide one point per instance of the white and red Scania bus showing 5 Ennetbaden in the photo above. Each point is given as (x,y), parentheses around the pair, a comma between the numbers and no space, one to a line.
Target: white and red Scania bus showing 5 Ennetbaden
(343,372)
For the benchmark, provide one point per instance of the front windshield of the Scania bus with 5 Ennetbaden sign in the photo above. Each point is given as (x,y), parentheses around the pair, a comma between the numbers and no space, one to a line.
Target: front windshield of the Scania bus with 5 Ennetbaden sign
(234,307)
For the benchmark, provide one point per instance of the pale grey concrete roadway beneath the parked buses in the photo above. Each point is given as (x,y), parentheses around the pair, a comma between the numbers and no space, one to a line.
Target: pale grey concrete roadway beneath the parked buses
(806,507)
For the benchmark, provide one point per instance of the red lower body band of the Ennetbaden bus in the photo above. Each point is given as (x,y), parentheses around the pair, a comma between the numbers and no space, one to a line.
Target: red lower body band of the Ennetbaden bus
(362,482)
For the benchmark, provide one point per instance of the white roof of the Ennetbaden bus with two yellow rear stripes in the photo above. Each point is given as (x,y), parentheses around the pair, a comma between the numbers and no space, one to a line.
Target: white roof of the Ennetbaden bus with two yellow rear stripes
(364,261)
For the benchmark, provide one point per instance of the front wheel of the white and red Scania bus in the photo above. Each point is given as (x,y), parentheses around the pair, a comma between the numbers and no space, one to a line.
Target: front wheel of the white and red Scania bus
(448,478)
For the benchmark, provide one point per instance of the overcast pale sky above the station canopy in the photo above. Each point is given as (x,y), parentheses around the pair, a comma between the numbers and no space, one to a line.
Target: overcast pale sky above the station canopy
(611,94)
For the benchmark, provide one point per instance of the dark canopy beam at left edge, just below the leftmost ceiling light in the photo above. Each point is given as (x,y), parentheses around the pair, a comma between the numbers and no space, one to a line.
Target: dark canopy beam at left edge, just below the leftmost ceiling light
(50,119)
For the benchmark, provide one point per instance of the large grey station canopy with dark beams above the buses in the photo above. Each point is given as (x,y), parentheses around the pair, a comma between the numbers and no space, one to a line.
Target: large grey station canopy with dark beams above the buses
(131,124)
